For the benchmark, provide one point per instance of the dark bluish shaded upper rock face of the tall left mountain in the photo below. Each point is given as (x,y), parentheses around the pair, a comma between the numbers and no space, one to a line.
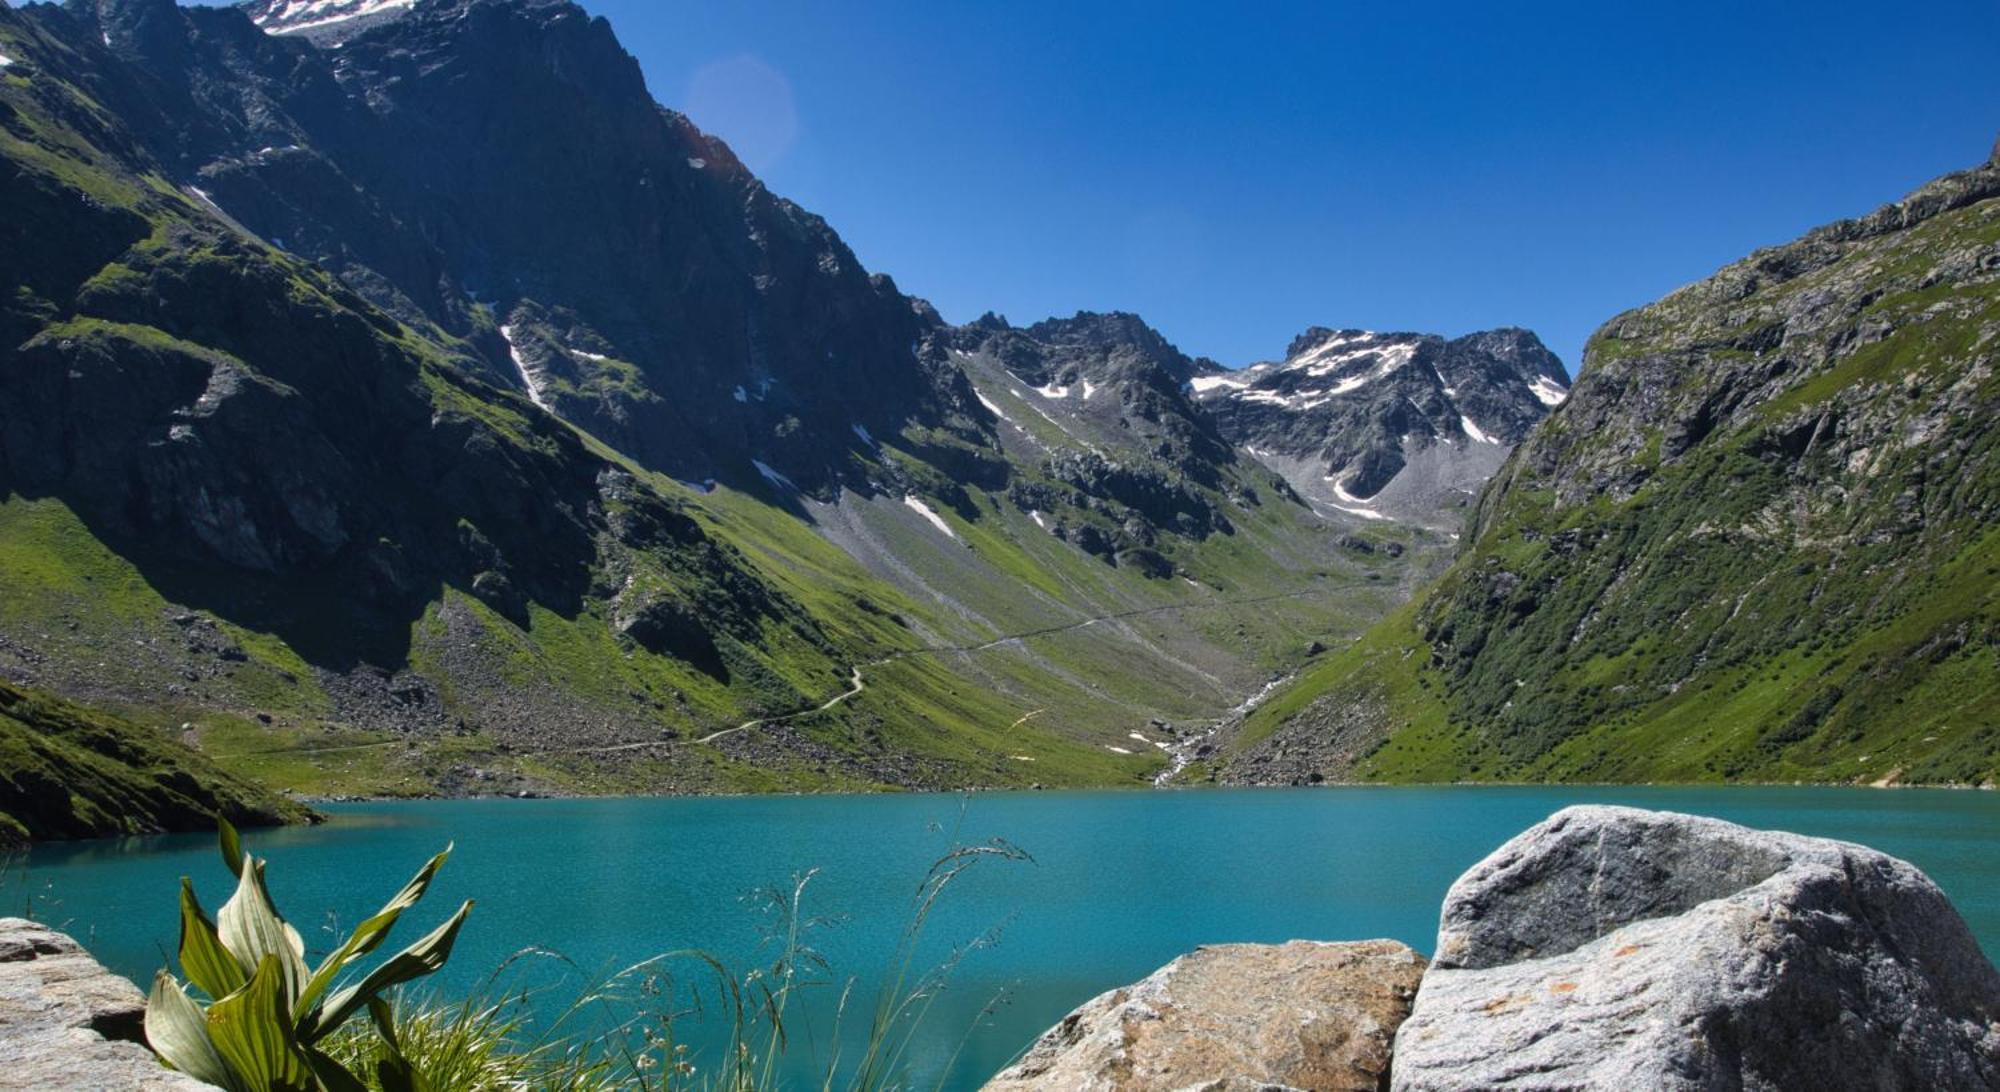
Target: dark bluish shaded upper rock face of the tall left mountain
(499,167)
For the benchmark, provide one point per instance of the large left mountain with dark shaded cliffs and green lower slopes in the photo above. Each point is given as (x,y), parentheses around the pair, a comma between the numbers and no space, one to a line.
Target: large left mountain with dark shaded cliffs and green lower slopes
(411,405)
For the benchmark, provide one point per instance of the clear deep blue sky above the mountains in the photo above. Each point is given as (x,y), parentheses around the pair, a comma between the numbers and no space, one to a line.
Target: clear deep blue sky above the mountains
(1237,173)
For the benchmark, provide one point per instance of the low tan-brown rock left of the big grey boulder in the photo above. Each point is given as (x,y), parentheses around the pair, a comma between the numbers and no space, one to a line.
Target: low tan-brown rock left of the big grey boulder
(1297,1015)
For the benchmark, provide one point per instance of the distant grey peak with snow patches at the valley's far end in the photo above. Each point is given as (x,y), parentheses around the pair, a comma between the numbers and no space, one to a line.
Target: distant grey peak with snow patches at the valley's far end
(1403,427)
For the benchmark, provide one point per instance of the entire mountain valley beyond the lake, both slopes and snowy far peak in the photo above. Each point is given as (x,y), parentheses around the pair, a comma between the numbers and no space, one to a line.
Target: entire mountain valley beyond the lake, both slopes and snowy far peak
(401,401)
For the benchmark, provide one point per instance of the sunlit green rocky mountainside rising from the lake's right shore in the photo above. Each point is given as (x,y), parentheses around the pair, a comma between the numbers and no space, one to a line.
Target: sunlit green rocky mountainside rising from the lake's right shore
(1757,543)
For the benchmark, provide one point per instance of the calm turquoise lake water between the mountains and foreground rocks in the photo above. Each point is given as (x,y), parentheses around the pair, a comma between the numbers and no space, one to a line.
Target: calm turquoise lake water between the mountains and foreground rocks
(1119,885)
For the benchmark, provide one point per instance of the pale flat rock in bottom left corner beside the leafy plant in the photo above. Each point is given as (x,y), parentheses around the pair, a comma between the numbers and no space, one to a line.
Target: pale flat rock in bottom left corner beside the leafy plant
(67,1023)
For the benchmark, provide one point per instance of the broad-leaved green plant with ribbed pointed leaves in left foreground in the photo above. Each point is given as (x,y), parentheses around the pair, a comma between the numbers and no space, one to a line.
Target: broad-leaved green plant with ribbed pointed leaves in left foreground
(267,1011)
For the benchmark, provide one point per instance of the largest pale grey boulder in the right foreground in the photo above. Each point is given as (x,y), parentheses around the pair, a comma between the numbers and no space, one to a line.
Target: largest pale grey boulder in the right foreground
(1627,949)
